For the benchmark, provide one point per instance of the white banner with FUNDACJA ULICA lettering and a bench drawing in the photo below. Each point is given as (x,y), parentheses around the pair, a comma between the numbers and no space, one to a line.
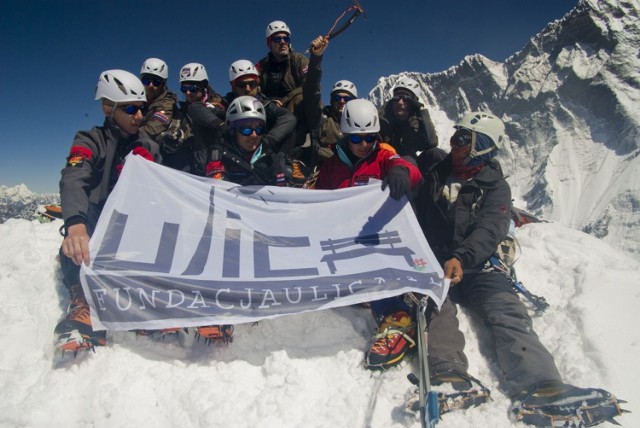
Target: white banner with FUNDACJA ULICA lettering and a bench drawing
(175,250)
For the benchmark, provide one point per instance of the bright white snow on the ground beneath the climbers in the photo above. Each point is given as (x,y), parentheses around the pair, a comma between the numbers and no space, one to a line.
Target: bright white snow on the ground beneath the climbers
(300,370)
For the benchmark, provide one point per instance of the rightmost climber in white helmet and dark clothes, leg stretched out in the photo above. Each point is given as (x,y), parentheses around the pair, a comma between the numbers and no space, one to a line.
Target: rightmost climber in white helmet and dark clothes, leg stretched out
(463,208)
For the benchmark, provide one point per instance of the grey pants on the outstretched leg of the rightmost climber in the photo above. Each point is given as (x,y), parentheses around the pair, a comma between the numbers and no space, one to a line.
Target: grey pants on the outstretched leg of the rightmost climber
(522,358)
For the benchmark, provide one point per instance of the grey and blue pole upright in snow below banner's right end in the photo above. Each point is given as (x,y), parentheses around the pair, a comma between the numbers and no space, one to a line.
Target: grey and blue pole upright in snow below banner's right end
(428,399)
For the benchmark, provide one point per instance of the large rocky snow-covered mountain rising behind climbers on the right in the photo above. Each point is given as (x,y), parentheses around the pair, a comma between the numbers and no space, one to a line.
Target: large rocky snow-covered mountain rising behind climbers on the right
(570,100)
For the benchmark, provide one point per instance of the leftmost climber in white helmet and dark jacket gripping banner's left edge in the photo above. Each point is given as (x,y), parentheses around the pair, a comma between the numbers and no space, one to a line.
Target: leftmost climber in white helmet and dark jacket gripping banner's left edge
(92,170)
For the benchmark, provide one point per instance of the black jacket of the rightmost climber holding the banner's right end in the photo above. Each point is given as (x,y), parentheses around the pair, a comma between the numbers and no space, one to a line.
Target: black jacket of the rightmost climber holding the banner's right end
(471,228)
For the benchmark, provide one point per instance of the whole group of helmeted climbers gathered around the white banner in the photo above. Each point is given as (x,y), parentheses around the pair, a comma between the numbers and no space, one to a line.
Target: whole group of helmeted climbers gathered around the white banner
(272,129)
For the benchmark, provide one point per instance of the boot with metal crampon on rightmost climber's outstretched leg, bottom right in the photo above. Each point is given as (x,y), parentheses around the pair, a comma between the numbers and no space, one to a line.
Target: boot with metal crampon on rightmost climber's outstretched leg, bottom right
(578,408)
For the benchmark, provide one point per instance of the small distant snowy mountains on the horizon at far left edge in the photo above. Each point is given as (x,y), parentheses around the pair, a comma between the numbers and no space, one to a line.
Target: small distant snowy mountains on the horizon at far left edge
(20,202)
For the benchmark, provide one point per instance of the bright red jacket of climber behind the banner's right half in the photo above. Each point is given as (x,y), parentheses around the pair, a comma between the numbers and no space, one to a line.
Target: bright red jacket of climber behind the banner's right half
(336,174)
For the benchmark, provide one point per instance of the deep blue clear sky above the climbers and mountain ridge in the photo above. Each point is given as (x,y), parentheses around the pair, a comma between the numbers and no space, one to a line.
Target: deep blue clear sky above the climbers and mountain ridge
(51,53)
